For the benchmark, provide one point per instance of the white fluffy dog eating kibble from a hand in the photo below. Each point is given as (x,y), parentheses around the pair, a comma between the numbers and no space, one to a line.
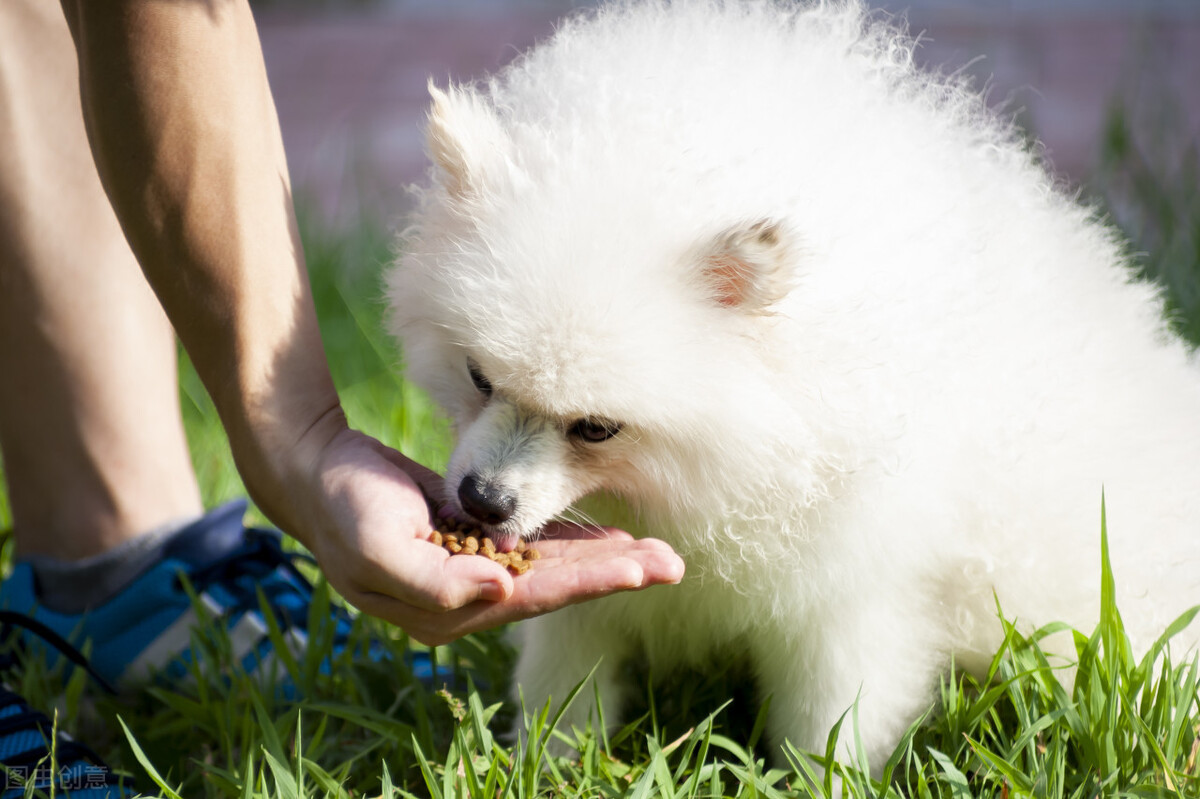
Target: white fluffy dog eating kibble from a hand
(820,321)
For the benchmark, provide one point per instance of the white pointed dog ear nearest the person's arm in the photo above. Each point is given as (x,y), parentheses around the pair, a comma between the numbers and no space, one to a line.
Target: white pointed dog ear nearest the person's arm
(465,141)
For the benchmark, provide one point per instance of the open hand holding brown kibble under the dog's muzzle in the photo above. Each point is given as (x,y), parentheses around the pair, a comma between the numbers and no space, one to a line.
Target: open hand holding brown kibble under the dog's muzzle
(368,525)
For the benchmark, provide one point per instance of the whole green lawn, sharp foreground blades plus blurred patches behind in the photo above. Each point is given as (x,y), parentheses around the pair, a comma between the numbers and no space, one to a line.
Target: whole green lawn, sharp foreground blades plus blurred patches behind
(367,729)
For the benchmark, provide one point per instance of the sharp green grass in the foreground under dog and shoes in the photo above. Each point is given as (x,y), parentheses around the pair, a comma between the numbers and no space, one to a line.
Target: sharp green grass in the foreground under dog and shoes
(1127,728)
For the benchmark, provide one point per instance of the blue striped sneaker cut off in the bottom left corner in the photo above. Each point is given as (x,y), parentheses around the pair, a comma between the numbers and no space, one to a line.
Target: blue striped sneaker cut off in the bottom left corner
(26,742)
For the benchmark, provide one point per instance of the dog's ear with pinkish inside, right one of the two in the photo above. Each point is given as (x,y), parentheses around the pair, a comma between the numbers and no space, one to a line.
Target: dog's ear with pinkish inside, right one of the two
(749,267)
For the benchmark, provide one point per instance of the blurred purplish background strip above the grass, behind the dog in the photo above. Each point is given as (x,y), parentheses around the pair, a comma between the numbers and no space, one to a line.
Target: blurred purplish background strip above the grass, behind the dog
(350,79)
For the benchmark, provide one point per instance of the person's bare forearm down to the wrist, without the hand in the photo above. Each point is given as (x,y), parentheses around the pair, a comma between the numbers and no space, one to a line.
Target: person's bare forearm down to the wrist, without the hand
(187,140)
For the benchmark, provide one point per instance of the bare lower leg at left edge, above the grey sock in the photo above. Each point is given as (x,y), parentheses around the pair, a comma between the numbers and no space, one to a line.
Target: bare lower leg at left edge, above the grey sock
(93,446)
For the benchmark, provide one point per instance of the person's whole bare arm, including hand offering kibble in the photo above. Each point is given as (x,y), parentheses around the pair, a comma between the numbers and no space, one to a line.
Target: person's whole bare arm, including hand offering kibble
(185,136)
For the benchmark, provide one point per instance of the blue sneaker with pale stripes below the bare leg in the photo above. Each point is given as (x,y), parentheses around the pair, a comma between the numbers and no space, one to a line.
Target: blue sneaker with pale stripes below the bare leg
(148,629)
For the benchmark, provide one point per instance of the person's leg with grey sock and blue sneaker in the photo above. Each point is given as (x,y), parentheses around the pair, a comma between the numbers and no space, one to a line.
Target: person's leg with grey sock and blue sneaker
(97,461)
